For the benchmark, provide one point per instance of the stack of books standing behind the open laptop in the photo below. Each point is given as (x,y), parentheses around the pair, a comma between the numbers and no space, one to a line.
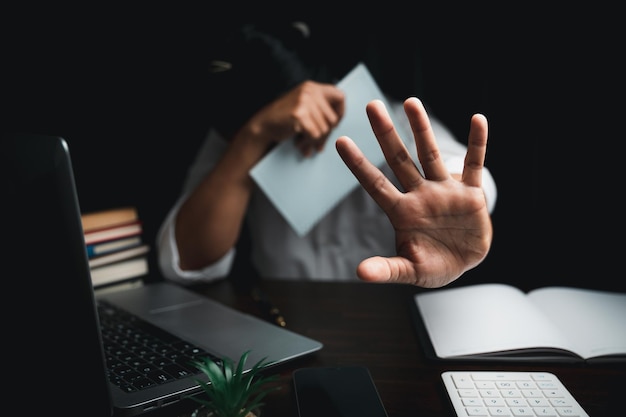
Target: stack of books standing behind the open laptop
(115,247)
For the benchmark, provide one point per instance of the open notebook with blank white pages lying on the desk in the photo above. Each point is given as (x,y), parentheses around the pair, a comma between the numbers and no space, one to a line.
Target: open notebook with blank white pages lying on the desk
(499,322)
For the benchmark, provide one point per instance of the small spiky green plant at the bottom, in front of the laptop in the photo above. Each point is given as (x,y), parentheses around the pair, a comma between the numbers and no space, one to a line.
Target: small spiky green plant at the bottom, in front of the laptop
(230,392)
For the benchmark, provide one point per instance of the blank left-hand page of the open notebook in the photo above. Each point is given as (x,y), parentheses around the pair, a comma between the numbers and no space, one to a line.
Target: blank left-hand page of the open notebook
(485,318)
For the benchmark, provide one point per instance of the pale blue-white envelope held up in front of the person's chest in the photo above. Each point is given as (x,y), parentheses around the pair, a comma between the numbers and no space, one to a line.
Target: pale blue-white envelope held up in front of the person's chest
(303,189)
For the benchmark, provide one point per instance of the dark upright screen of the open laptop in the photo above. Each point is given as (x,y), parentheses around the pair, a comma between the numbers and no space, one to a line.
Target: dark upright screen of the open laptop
(52,337)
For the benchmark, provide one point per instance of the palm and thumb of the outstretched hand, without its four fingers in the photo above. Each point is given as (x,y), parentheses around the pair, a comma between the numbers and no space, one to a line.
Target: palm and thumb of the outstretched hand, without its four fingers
(443,228)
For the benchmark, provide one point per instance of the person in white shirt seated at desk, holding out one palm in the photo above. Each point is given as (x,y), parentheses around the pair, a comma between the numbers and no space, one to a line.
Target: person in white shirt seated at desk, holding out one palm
(426,230)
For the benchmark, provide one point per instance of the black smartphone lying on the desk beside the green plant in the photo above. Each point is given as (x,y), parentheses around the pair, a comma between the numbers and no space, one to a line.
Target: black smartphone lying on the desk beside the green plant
(346,391)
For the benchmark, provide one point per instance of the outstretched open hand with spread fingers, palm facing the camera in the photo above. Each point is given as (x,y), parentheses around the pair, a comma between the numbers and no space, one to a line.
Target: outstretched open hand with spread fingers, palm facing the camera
(443,226)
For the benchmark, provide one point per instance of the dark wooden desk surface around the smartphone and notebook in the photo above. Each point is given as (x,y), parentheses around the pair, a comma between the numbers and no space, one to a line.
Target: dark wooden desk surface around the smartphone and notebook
(370,325)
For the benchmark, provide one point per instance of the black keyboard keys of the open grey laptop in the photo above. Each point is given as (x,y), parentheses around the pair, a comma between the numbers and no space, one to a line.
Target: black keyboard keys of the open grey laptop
(140,355)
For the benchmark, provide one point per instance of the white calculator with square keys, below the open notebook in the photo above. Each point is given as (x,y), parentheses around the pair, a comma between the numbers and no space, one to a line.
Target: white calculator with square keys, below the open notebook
(486,393)
